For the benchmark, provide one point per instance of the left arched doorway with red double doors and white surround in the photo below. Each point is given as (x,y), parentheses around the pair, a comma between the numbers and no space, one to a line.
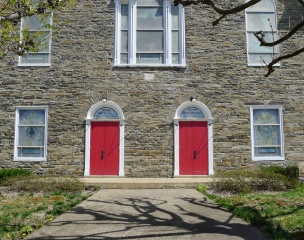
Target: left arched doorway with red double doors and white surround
(104,144)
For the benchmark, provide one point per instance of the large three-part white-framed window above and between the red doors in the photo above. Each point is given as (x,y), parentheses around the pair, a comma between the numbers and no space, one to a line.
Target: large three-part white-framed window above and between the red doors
(149,32)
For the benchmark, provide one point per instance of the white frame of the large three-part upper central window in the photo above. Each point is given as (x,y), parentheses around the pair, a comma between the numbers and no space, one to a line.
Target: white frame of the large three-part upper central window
(132,35)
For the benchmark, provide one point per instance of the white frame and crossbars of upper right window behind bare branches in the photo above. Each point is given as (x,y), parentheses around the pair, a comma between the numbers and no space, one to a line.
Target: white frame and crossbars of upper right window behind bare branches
(275,32)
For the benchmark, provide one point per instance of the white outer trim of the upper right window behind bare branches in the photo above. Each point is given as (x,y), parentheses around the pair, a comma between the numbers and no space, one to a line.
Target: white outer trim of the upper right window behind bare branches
(247,36)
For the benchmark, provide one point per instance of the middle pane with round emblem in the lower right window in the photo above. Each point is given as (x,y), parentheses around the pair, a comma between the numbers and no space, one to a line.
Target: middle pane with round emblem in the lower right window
(266,135)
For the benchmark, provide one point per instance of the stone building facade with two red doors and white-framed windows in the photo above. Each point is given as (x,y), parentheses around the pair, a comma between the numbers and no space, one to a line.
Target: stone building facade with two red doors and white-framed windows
(141,88)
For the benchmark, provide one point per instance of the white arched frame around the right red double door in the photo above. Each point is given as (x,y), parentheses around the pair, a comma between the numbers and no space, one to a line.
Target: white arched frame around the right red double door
(177,119)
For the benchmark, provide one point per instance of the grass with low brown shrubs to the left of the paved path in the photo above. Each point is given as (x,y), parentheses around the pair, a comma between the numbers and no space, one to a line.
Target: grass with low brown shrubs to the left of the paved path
(36,204)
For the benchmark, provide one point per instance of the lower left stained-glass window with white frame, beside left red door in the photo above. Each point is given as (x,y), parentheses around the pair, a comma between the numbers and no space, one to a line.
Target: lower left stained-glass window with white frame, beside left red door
(30,133)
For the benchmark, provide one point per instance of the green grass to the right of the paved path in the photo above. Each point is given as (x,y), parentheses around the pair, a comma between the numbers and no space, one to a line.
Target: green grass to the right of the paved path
(280,214)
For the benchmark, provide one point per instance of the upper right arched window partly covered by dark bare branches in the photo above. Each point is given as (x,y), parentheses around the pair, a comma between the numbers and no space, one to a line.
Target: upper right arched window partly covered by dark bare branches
(261,17)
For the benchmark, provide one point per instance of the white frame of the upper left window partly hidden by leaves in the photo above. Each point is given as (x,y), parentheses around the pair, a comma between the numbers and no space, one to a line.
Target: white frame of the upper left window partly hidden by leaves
(47,64)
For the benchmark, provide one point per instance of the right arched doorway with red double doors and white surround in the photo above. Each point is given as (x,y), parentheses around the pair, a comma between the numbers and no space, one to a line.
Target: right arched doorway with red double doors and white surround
(193,140)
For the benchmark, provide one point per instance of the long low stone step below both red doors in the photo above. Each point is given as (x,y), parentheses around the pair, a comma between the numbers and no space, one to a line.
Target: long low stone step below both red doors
(141,183)
